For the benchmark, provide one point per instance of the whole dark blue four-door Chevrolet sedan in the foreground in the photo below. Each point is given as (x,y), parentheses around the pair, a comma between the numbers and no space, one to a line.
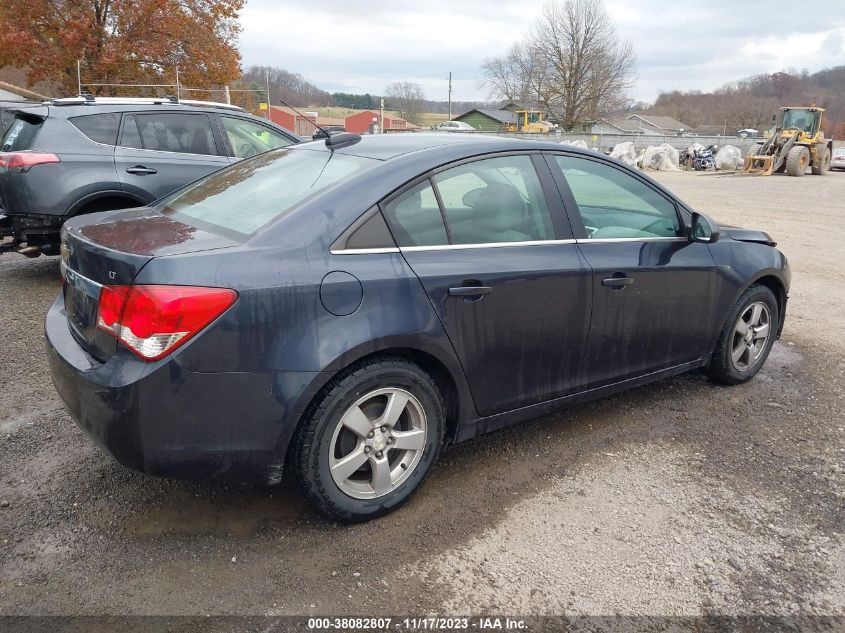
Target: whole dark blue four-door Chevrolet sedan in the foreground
(348,307)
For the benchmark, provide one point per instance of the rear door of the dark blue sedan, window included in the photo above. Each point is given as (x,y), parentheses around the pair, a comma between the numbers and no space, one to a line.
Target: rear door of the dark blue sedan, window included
(495,254)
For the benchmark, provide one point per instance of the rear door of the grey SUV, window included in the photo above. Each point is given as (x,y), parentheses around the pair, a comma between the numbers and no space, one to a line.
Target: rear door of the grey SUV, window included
(162,151)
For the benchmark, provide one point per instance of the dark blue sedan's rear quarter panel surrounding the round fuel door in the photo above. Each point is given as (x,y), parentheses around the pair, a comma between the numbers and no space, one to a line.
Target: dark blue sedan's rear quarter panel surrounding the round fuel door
(279,322)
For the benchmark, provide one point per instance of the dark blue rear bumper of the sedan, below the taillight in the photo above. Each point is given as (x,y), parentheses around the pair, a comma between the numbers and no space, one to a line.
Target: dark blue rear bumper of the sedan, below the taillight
(161,419)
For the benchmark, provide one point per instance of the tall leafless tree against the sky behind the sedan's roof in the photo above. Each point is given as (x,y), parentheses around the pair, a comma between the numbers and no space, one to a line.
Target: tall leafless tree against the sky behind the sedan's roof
(572,62)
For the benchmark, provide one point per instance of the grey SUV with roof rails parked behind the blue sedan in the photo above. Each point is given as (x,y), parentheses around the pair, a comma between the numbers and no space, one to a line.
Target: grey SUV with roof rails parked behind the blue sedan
(67,157)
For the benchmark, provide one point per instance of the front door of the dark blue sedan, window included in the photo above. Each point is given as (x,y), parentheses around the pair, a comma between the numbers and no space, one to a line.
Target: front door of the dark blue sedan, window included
(653,288)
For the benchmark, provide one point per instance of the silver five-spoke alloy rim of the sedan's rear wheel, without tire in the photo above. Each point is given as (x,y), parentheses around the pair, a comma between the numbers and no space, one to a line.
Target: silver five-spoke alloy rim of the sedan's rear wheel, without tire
(377,443)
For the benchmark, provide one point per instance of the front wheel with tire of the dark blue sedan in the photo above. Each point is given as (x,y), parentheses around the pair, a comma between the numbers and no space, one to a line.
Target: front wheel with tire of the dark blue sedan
(746,338)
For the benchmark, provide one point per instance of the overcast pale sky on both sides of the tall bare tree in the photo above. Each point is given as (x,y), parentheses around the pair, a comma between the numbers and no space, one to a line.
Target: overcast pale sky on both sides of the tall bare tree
(342,45)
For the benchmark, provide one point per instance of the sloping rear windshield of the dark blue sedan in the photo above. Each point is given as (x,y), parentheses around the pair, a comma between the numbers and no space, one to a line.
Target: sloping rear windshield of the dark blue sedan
(252,193)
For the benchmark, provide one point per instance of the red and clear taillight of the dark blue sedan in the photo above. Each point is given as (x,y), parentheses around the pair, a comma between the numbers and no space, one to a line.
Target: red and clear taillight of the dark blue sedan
(152,321)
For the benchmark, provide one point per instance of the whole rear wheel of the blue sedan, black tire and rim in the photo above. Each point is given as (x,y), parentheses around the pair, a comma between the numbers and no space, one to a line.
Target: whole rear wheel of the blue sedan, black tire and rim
(345,426)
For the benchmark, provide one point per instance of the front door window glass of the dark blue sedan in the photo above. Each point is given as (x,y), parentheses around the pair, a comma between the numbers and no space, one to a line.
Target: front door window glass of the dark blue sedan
(616,205)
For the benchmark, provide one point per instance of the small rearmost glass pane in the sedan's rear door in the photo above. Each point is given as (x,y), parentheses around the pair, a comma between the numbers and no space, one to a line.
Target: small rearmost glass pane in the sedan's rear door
(415,217)
